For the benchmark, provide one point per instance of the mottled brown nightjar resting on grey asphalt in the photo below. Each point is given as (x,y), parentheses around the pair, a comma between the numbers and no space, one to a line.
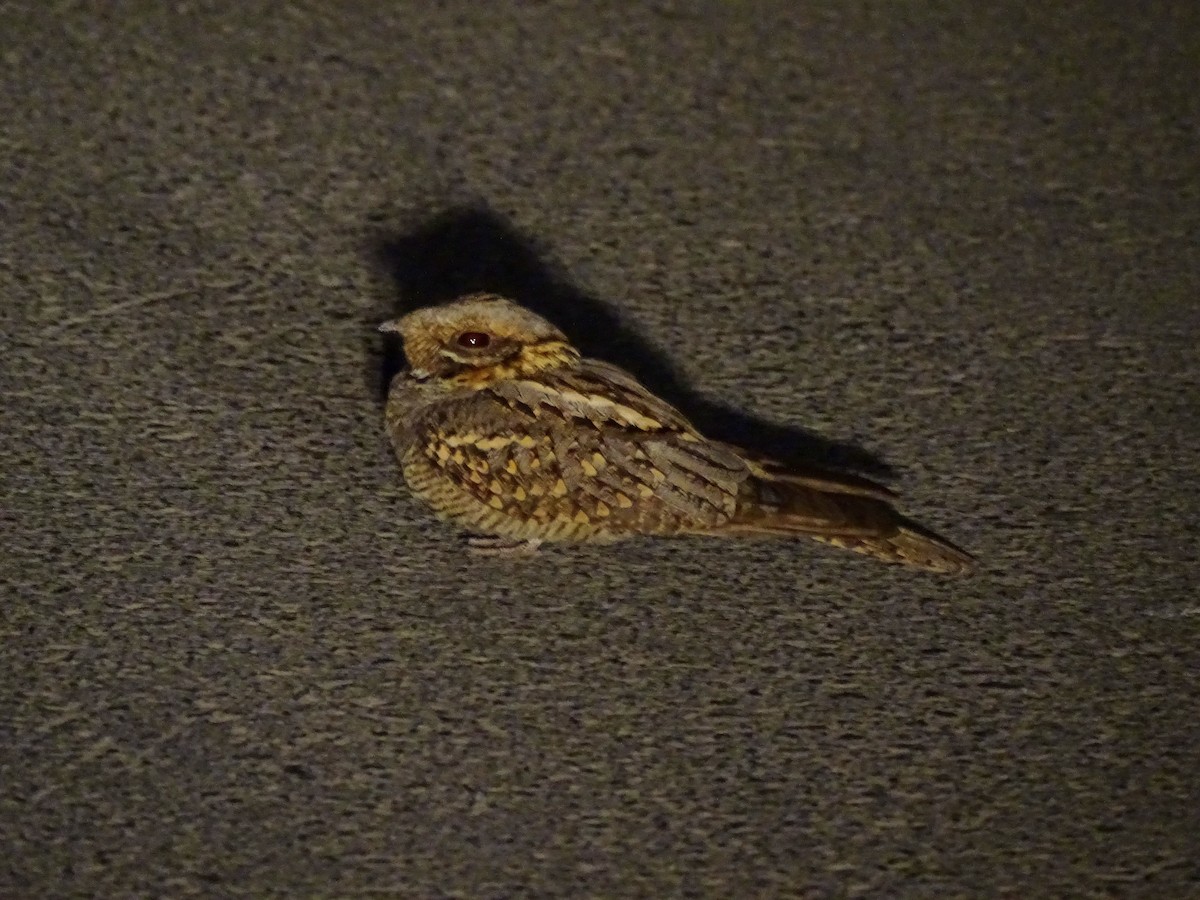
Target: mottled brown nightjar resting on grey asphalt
(506,430)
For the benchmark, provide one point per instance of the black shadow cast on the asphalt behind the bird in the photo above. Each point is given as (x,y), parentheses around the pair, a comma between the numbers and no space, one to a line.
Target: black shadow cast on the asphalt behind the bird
(472,249)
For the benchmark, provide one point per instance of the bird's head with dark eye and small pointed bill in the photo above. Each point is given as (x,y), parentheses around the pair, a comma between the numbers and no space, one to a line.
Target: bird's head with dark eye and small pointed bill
(479,339)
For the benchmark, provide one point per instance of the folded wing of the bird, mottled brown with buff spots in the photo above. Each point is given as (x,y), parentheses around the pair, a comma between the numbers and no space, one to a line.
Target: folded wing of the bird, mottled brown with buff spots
(587,443)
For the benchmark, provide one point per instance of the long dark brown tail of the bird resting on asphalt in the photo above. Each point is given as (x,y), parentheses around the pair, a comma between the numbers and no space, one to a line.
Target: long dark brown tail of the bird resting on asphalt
(844,511)
